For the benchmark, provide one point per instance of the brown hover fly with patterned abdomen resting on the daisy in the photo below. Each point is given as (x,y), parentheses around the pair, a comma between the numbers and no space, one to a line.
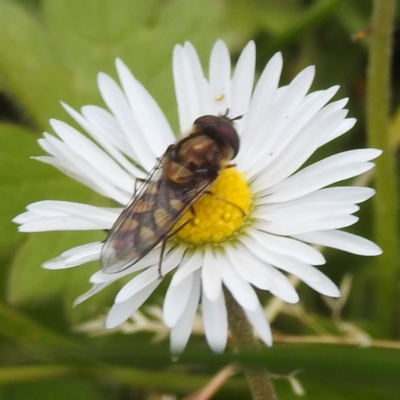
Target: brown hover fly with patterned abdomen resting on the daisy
(181,176)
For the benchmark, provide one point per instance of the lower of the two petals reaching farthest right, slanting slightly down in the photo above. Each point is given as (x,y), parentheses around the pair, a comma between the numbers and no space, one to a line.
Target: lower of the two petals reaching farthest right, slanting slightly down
(343,241)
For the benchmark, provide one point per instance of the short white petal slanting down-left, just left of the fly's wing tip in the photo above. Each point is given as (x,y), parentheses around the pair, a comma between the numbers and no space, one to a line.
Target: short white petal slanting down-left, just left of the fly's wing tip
(76,256)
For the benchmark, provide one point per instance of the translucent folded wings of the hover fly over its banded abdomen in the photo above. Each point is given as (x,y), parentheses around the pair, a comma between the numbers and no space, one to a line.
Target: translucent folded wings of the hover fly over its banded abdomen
(147,220)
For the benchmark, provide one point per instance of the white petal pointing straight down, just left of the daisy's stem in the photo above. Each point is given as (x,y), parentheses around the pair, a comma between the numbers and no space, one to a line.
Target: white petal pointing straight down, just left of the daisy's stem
(215,322)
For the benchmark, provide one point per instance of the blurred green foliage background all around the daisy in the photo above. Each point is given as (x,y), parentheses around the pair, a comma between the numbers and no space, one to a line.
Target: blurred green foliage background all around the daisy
(52,50)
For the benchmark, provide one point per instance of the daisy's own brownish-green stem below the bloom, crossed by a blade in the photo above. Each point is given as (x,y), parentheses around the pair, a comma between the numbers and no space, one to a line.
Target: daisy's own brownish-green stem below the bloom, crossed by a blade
(259,379)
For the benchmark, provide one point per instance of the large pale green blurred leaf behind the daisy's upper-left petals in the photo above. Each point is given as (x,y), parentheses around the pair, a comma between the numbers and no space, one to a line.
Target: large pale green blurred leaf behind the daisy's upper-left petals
(91,34)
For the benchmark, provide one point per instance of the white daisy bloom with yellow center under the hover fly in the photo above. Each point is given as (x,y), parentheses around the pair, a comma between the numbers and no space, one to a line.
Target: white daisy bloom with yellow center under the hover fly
(288,208)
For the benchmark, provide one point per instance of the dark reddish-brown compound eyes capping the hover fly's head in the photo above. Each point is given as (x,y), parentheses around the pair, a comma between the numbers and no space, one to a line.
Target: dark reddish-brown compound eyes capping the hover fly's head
(220,129)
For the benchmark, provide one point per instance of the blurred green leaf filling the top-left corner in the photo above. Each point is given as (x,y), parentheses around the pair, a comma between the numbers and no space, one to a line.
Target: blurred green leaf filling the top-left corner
(28,64)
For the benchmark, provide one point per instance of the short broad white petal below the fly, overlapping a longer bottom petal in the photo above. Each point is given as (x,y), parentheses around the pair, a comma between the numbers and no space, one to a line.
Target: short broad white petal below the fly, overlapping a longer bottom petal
(175,301)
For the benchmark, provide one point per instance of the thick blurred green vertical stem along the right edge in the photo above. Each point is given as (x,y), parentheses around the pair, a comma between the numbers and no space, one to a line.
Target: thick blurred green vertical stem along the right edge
(386,200)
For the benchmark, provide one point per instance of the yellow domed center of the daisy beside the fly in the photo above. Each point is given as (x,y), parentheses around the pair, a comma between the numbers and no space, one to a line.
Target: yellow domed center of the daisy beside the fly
(220,215)
